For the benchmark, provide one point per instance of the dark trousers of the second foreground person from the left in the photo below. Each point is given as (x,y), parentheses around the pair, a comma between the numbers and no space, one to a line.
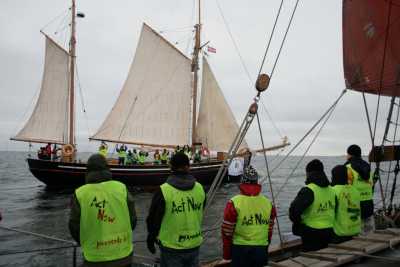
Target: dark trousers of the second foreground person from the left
(176,258)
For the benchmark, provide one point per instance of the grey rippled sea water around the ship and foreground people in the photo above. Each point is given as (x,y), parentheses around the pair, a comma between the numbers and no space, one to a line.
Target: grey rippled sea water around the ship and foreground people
(27,205)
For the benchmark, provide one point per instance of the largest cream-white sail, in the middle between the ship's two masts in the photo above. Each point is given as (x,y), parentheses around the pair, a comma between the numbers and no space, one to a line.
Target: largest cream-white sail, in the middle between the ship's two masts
(153,107)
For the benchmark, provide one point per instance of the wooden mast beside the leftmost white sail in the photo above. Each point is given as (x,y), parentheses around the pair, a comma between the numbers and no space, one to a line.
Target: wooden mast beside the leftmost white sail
(71,134)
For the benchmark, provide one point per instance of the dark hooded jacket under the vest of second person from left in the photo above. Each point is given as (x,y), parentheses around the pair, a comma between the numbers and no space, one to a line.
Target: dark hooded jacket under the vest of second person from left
(179,180)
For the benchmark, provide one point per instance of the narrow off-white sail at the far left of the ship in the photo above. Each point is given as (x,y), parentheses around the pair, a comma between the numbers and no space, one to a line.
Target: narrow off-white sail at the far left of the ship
(49,120)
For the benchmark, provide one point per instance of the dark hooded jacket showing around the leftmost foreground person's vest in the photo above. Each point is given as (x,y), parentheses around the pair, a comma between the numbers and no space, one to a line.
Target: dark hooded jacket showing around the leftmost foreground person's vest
(75,216)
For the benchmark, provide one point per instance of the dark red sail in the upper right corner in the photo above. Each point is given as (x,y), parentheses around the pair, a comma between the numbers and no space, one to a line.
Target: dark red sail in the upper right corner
(371,46)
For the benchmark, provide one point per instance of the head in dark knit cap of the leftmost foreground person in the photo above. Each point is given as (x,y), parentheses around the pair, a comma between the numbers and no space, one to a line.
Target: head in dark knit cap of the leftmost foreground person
(97,169)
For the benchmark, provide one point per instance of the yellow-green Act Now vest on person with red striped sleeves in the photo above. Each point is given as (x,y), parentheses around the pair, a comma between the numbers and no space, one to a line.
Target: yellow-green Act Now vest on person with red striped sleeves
(253,219)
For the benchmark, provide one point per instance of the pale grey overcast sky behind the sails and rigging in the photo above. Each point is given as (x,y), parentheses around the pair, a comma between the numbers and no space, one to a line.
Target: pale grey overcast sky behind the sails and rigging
(308,78)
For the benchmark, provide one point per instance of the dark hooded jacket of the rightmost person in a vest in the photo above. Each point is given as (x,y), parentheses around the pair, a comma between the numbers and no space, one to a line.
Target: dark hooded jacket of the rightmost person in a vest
(363,169)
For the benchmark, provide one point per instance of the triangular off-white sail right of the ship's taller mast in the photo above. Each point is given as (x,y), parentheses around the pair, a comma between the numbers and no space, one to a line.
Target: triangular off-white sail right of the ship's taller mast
(216,126)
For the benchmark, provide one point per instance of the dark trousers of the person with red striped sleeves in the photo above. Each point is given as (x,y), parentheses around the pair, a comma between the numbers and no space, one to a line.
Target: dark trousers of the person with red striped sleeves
(249,256)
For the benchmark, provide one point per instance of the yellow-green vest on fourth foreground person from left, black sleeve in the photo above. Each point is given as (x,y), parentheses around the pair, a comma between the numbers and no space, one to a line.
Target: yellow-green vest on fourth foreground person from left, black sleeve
(321,213)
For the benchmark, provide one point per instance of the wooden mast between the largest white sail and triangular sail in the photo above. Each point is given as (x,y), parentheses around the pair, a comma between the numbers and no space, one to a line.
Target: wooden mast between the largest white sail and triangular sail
(195,69)
